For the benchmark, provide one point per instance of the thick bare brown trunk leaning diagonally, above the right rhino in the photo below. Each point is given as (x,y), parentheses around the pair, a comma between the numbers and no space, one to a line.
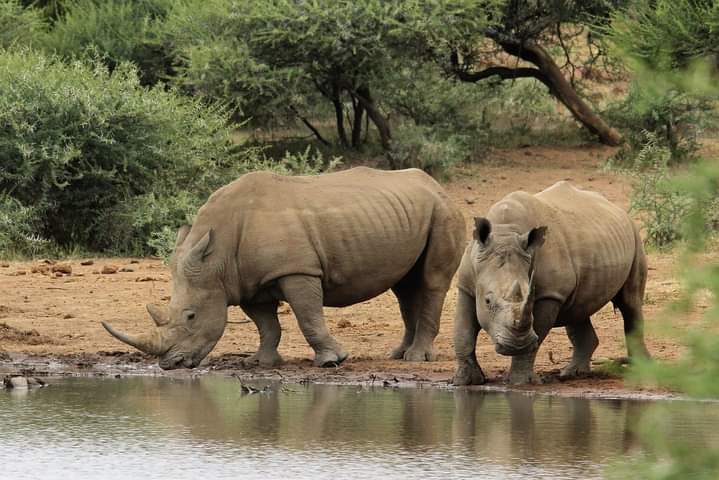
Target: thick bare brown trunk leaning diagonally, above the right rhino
(562,89)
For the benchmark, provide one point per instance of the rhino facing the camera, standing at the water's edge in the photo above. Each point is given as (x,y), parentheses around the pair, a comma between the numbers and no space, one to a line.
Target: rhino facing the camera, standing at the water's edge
(517,285)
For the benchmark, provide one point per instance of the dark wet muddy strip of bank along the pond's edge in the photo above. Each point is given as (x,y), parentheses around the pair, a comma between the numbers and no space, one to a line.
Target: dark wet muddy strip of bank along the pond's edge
(118,364)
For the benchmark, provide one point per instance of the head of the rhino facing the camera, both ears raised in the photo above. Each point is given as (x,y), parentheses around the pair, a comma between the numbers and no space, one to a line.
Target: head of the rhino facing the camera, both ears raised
(504,282)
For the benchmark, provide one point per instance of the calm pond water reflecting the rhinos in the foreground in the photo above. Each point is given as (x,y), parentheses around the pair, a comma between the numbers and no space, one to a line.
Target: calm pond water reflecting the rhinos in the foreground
(159,427)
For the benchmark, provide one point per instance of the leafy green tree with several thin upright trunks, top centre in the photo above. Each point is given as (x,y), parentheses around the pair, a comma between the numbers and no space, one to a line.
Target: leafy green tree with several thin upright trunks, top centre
(337,46)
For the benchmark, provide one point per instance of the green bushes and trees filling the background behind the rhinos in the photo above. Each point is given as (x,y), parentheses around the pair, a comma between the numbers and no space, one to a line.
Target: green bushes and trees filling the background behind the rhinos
(119,117)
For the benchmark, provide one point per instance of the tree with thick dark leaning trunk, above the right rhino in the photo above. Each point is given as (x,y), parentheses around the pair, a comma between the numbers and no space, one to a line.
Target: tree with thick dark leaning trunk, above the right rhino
(513,39)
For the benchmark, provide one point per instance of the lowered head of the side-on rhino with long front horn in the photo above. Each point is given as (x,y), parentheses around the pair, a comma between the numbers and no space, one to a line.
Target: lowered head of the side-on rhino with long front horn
(189,329)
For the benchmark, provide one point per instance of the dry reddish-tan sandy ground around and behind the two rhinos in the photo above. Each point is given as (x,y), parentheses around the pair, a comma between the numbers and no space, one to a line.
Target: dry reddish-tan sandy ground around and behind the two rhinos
(48,316)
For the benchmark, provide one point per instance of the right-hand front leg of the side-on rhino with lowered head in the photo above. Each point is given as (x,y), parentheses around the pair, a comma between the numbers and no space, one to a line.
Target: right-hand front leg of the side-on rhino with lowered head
(305,296)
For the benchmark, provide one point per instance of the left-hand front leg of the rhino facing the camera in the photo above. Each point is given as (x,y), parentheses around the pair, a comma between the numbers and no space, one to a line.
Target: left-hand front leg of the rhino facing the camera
(466,329)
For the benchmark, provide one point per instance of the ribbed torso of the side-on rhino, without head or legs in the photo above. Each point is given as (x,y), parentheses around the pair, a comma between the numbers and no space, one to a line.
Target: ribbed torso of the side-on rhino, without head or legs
(361,230)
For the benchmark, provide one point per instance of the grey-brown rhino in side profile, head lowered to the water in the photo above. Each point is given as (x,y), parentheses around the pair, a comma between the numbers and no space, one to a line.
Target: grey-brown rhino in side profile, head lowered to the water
(334,239)
